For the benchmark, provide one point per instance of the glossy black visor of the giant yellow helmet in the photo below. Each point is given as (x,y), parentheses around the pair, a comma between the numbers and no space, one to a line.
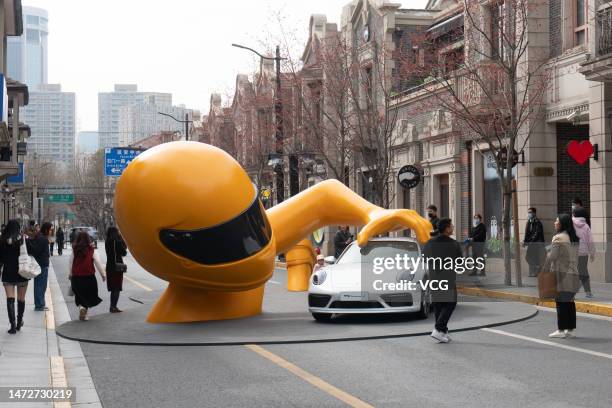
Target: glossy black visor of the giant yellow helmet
(236,239)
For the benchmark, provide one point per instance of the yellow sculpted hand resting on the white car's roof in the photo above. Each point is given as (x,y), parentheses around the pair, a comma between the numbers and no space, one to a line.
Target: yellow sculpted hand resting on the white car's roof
(382,221)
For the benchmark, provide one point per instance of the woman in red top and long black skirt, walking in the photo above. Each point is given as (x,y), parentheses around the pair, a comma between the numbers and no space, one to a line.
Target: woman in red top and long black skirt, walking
(84,261)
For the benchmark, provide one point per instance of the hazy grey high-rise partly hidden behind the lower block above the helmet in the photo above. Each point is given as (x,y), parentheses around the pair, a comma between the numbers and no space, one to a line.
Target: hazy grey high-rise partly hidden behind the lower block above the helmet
(109,107)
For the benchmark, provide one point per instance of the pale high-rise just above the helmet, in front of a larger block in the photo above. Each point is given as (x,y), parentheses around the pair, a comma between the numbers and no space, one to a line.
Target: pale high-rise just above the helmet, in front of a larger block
(140,120)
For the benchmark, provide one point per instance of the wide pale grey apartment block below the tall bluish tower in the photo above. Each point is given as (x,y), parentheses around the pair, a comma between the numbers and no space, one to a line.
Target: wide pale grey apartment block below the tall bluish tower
(51,116)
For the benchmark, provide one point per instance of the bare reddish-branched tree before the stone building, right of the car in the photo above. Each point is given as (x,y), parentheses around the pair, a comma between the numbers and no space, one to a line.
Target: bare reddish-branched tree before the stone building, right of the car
(490,80)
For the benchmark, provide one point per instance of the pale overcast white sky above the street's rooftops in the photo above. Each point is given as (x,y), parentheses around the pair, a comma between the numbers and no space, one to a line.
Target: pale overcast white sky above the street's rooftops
(180,46)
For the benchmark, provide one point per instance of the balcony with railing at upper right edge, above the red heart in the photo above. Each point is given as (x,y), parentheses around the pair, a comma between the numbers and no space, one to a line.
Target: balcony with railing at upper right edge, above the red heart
(599,67)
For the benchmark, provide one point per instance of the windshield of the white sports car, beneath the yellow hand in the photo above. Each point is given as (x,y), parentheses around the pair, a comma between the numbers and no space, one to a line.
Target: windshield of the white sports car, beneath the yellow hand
(378,249)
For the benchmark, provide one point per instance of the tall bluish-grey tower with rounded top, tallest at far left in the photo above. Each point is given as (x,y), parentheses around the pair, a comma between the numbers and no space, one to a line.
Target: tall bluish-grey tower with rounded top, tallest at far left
(27,54)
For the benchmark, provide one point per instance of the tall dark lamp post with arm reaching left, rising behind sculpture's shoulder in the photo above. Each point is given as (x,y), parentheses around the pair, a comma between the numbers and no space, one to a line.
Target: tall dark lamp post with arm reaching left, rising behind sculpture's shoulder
(278,110)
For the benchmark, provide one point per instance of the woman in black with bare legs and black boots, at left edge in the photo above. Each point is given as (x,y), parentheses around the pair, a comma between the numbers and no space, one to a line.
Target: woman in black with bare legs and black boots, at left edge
(10,244)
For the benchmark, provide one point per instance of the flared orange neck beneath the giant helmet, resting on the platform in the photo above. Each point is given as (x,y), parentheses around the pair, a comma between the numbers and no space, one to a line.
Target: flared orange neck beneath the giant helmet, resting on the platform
(180,304)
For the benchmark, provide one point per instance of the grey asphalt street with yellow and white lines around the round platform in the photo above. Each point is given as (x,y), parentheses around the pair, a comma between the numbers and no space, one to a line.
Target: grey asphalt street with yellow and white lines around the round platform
(507,366)
